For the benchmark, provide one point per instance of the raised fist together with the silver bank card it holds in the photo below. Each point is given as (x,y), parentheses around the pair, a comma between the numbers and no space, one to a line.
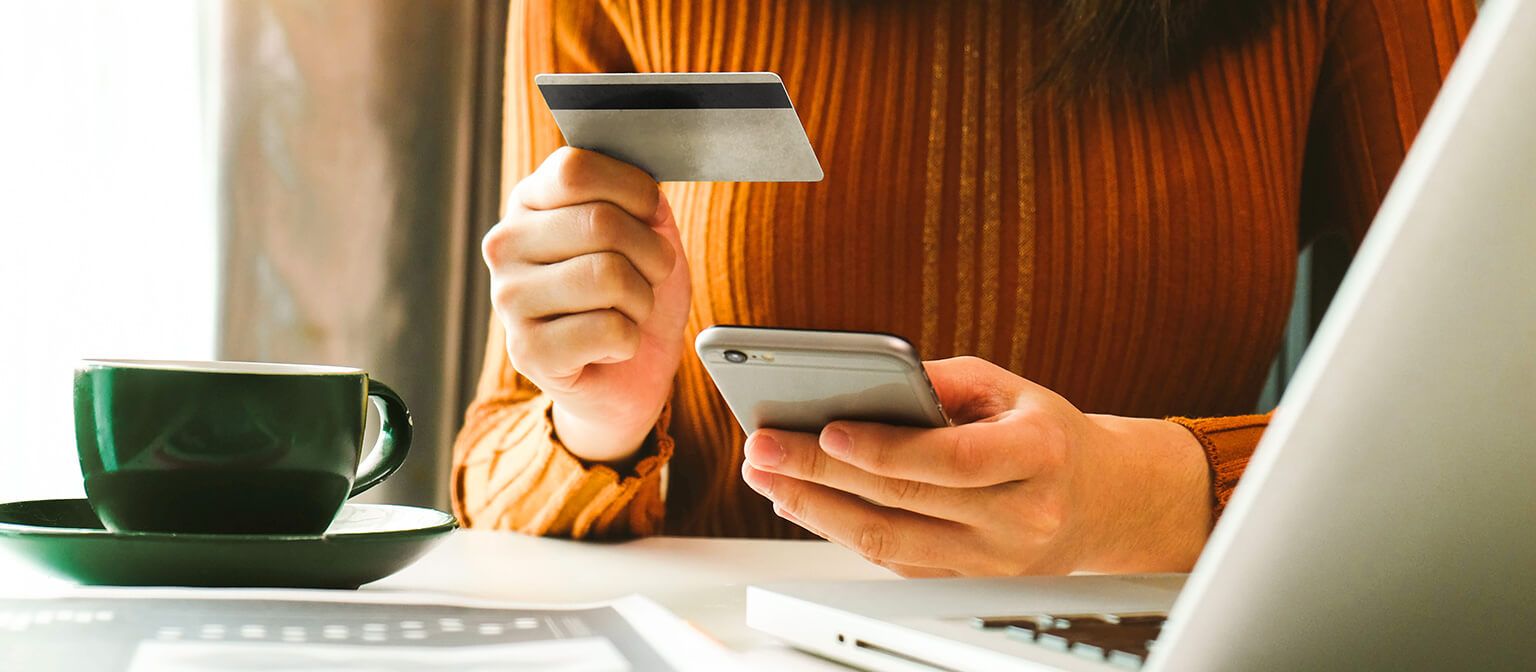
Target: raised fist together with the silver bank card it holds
(589,277)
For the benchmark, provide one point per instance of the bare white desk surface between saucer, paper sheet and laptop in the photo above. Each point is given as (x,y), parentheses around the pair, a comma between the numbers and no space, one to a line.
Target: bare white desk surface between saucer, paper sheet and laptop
(703,581)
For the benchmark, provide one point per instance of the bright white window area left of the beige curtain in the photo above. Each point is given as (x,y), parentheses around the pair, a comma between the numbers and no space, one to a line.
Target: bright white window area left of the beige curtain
(108,240)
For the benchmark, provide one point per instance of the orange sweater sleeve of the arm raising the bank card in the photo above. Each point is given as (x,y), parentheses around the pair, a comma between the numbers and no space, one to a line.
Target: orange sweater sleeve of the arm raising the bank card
(511,470)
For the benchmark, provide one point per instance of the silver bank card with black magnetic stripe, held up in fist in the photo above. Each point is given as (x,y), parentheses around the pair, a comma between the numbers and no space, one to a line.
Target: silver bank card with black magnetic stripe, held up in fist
(687,128)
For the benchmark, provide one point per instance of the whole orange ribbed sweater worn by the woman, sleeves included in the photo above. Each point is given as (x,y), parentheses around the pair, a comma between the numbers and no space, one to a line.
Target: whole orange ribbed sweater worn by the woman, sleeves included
(1133,251)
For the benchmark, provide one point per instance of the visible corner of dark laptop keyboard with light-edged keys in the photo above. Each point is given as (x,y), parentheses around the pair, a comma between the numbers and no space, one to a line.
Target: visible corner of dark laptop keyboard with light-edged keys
(1117,639)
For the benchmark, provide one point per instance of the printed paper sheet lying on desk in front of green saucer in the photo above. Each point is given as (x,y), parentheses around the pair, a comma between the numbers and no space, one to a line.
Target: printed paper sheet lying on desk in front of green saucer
(110,630)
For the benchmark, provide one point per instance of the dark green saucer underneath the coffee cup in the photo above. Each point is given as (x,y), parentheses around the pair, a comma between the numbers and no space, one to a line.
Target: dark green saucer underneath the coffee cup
(365,544)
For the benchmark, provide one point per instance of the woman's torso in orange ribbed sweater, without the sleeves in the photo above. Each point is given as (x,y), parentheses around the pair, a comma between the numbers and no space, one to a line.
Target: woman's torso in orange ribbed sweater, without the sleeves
(1133,251)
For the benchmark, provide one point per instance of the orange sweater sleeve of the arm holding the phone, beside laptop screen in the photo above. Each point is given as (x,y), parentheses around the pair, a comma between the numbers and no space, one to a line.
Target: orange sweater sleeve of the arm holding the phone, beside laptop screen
(1382,68)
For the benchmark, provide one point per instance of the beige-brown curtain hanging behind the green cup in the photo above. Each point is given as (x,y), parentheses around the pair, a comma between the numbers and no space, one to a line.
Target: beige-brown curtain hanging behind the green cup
(359,166)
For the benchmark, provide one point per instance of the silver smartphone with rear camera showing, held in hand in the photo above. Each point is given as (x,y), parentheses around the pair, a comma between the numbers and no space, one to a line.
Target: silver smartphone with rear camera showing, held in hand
(803,380)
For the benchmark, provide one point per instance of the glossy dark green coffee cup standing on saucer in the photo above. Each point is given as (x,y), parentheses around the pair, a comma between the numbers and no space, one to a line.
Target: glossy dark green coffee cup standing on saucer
(230,447)
